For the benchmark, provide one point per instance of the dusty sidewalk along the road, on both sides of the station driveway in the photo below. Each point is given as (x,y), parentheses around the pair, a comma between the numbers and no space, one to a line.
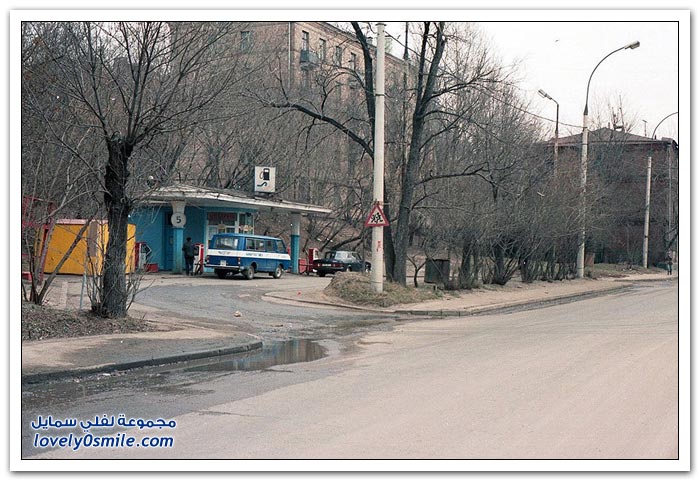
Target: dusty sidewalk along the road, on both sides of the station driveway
(181,340)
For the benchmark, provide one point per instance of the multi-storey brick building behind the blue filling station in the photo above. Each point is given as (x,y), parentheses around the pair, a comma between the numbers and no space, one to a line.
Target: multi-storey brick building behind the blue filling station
(315,65)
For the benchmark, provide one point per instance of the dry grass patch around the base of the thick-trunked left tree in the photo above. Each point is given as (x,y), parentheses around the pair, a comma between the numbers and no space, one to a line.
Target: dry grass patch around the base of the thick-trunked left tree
(40,322)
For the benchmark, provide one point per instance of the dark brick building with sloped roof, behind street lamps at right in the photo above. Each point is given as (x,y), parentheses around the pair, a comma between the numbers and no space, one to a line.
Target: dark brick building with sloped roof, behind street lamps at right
(619,159)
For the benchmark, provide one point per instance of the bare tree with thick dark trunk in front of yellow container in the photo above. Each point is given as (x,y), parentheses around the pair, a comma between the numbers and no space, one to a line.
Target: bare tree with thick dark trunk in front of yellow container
(129,84)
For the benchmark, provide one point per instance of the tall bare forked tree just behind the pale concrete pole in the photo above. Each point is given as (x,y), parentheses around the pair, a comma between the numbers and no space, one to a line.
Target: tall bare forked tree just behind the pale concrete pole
(437,77)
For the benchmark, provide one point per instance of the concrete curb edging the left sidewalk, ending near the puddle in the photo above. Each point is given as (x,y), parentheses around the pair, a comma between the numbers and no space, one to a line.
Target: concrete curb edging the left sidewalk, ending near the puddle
(122,366)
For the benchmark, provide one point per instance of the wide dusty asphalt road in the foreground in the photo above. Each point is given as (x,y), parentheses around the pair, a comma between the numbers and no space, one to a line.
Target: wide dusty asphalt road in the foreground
(594,379)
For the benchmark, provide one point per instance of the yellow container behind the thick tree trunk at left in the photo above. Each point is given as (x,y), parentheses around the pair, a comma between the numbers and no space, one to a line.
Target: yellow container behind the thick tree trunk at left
(88,254)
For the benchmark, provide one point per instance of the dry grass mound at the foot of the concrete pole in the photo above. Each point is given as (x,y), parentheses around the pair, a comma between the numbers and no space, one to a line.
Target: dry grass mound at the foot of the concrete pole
(355,288)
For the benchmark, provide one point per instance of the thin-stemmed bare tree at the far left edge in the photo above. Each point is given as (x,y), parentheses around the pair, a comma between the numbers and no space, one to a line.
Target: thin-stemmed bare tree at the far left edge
(56,180)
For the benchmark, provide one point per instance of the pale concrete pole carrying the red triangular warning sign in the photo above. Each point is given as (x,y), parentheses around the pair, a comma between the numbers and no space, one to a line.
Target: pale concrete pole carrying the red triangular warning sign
(377,274)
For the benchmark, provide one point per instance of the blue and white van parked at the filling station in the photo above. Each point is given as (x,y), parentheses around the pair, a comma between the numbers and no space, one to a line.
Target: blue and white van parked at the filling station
(229,254)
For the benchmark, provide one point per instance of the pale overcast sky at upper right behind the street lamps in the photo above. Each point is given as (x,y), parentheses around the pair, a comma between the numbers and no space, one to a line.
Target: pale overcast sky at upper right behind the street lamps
(559,57)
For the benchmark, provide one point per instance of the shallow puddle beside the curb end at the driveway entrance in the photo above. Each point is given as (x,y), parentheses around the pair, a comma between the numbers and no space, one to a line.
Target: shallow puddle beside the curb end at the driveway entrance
(272,354)
